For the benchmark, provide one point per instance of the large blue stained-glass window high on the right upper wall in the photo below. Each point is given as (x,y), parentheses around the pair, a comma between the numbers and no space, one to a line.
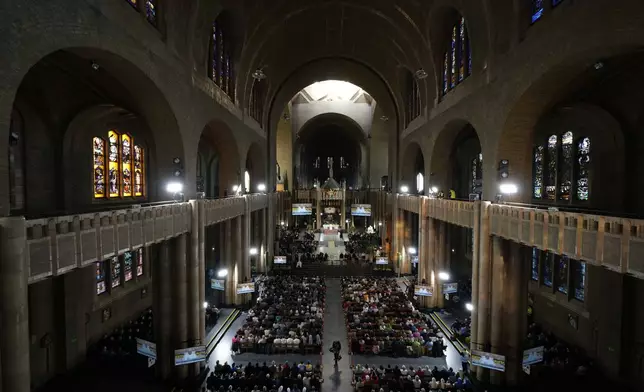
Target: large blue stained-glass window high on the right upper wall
(457,59)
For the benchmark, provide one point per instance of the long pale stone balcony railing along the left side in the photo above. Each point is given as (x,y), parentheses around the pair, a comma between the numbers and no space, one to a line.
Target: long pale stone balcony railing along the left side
(60,244)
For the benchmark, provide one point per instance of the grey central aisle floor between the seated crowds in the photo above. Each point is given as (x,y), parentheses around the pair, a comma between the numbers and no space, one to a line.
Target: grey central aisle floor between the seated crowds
(335,329)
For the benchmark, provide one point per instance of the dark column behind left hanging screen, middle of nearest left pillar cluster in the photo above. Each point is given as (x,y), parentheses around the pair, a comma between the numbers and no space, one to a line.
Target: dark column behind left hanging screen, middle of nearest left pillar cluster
(180,299)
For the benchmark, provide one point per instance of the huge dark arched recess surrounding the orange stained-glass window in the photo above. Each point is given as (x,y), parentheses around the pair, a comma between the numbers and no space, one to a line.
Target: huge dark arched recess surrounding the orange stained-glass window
(59,89)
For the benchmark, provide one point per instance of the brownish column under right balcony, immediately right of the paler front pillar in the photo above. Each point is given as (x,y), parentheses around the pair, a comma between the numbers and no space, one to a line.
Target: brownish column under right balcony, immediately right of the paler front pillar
(497,344)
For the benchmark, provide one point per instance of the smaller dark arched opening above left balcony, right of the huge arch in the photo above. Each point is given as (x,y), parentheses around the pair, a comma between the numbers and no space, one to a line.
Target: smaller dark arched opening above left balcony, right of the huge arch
(218,147)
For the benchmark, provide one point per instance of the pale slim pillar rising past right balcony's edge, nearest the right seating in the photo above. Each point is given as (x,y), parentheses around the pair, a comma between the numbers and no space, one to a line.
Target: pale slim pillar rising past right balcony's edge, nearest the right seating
(484,286)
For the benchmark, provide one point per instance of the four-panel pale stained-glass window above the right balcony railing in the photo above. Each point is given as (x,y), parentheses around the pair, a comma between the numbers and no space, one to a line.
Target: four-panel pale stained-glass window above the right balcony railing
(562,168)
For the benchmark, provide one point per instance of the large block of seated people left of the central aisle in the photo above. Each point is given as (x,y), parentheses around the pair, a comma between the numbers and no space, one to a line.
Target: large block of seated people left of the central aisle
(288,317)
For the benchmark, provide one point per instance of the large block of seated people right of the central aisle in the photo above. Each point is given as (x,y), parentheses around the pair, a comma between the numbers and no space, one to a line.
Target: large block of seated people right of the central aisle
(381,320)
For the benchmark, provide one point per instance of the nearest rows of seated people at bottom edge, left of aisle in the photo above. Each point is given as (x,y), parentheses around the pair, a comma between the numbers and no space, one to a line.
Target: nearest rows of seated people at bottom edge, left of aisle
(300,377)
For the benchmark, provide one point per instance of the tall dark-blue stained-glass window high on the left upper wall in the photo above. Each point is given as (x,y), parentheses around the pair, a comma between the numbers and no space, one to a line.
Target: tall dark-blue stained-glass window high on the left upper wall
(222,65)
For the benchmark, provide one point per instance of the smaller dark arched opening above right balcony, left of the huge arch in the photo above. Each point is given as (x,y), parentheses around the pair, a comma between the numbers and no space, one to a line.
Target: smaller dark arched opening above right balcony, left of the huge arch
(455,147)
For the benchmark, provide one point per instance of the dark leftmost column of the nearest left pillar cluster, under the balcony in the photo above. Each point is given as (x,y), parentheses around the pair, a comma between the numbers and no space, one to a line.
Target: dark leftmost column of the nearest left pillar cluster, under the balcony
(162,305)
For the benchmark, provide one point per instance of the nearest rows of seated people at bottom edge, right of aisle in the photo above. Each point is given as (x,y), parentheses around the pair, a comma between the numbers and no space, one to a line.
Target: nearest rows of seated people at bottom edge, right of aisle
(412,379)
